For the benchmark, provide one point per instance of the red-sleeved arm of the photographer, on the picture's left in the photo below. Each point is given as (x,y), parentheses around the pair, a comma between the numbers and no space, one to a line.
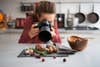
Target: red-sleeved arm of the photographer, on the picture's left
(25,38)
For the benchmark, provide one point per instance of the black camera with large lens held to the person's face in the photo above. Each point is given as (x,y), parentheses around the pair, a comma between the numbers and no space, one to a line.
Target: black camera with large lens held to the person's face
(45,28)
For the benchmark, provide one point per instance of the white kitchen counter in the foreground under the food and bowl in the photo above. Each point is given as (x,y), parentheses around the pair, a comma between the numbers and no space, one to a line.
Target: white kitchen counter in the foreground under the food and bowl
(10,49)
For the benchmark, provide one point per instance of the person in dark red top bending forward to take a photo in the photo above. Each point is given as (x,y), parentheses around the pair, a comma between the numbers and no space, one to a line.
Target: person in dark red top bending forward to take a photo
(44,10)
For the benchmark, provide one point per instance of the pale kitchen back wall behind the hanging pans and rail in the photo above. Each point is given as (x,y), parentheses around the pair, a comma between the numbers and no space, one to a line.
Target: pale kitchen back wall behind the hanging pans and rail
(12,7)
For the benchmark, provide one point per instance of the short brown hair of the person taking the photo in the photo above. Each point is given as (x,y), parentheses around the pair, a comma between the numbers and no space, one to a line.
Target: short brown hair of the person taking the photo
(45,7)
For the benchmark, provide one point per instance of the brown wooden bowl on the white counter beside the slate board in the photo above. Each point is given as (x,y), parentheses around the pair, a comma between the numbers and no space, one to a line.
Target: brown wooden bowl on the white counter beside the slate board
(77,43)
